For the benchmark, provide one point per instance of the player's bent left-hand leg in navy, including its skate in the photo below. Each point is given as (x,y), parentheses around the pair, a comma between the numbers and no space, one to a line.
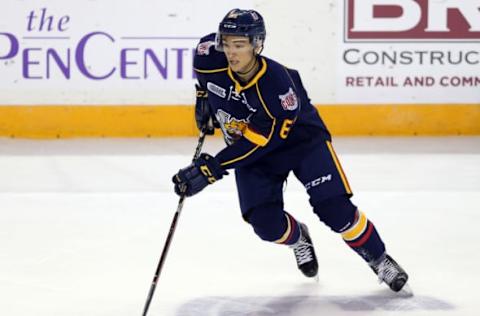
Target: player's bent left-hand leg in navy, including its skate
(261,202)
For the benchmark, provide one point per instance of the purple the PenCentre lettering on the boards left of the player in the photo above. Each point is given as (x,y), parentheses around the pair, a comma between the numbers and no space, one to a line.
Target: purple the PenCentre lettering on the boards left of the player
(131,59)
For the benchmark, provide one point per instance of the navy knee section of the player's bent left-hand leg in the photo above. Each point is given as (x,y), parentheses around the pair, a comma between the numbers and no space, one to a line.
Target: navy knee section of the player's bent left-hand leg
(268,221)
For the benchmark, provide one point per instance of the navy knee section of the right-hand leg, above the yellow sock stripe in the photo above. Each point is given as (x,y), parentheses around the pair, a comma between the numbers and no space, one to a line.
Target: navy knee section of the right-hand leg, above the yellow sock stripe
(338,213)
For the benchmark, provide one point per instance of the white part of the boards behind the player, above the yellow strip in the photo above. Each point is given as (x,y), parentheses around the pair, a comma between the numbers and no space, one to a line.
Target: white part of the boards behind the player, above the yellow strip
(305,34)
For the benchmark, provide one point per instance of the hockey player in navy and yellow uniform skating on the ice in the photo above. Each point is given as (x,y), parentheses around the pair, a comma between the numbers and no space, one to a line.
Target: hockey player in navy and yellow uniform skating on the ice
(271,129)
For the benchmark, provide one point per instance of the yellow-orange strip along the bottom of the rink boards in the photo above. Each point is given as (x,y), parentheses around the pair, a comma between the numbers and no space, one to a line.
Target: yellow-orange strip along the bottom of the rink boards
(158,121)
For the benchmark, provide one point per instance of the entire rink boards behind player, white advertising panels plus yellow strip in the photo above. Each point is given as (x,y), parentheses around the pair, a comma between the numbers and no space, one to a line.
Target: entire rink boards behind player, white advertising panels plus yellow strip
(81,71)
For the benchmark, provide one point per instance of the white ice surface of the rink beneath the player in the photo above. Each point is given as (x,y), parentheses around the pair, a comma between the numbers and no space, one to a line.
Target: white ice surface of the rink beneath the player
(83,223)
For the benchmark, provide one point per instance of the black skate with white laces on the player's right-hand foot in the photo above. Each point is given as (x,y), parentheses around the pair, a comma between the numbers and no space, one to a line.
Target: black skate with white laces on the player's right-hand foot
(390,272)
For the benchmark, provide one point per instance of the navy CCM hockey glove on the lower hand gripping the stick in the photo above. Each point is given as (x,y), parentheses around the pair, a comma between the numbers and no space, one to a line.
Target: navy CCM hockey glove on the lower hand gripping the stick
(201,172)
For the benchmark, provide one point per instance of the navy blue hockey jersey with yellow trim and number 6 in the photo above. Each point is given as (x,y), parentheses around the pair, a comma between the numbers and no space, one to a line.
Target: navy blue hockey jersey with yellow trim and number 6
(269,117)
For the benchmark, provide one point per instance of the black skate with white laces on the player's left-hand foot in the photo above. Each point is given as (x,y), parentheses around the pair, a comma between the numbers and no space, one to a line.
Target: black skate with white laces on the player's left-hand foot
(305,254)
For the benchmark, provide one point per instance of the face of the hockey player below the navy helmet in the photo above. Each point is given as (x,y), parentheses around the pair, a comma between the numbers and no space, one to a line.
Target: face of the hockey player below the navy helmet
(239,52)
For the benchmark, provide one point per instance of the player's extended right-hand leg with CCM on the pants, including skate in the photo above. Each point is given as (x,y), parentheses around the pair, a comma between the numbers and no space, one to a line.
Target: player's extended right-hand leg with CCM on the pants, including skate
(327,185)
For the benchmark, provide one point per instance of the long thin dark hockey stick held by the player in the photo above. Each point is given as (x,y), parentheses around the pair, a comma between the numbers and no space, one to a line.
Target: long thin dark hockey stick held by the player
(173,226)
